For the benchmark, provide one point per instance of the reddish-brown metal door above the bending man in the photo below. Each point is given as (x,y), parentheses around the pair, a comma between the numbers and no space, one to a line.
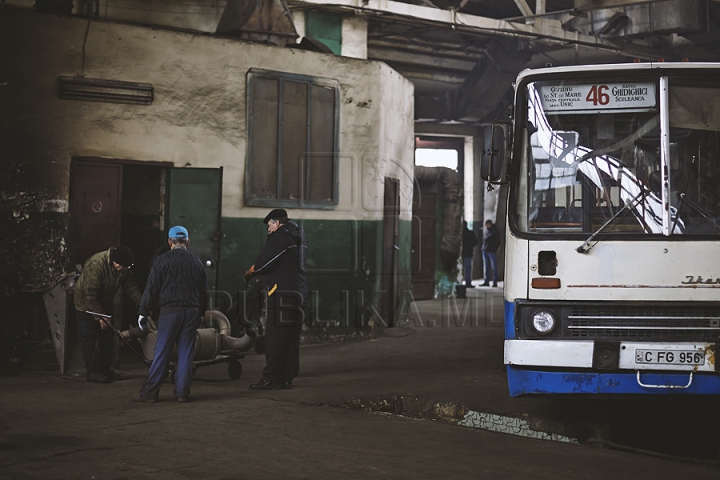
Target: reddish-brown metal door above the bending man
(95,208)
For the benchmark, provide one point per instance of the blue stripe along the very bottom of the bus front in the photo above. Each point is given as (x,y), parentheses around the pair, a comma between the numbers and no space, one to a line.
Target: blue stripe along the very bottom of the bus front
(523,381)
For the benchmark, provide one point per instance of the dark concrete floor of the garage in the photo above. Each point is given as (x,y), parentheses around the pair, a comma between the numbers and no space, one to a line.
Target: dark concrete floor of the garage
(338,422)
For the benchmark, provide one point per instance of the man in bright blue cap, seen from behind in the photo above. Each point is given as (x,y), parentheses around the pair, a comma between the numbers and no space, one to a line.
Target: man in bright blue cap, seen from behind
(176,287)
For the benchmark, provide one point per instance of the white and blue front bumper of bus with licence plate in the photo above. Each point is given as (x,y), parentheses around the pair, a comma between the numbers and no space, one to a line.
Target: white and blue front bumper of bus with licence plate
(584,367)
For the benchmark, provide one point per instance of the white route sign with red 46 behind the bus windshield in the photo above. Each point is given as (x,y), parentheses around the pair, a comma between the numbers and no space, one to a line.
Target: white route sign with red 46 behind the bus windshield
(593,98)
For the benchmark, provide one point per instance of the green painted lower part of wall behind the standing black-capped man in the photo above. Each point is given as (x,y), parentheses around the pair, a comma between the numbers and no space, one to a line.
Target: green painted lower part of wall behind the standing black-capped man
(343,264)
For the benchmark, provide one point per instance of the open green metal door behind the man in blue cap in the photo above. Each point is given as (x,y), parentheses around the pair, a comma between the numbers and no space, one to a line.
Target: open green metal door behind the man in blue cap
(194,200)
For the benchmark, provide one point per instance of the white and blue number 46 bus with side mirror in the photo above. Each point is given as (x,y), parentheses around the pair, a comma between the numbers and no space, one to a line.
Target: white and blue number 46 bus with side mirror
(612,261)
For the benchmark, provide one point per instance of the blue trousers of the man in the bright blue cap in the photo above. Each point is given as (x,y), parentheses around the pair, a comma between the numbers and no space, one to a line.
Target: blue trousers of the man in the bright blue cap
(174,328)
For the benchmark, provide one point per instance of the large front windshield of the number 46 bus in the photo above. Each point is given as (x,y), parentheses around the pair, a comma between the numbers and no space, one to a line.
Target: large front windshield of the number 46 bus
(591,159)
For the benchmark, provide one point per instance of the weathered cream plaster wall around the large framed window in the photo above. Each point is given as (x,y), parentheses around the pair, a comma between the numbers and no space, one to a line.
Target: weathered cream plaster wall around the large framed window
(197,119)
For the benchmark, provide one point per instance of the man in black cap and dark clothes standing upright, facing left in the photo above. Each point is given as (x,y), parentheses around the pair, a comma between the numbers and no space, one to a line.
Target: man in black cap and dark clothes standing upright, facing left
(282,264)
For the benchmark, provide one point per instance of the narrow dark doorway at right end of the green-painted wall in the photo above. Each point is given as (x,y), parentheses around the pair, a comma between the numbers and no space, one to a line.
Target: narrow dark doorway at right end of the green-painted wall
(391,232)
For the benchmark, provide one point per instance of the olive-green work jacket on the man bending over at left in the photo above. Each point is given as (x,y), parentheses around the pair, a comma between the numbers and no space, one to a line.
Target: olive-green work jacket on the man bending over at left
(99,282)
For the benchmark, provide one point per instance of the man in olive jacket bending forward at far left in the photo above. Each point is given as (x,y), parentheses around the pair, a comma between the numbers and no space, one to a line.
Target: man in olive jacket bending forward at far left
(95,291)
